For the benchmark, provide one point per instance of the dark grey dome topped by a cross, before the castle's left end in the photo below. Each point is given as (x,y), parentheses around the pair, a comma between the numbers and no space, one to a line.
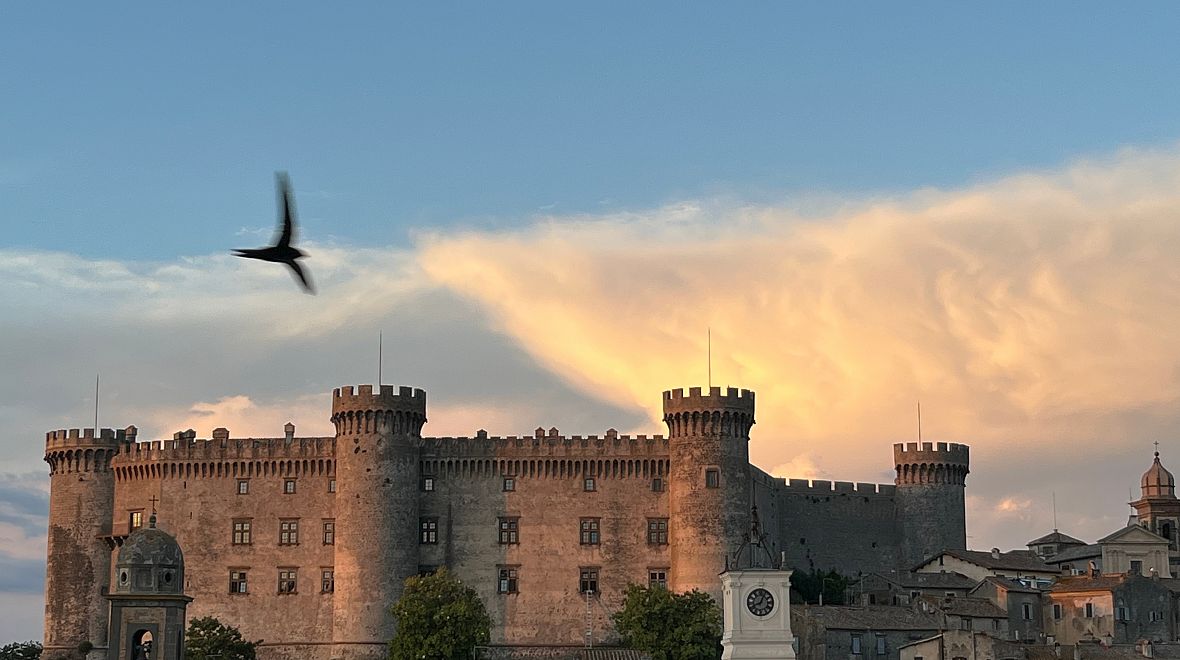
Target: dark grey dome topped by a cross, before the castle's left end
(150,563)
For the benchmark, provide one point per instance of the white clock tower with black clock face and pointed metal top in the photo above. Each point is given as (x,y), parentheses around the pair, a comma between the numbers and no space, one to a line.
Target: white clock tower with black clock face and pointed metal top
(757,604)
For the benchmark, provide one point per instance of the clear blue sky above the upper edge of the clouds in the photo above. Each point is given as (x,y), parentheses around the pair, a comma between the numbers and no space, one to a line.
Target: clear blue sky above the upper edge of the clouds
(153,133)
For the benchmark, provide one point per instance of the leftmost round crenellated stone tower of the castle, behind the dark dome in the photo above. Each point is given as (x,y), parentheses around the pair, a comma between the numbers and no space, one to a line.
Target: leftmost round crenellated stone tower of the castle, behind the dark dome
(78,560)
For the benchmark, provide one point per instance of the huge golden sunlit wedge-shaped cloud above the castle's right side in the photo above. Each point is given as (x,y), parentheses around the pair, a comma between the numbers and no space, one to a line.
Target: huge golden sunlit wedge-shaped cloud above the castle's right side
(1037,317)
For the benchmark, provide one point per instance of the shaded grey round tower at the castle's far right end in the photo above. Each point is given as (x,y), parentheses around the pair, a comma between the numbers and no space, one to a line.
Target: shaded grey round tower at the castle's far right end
(932,499)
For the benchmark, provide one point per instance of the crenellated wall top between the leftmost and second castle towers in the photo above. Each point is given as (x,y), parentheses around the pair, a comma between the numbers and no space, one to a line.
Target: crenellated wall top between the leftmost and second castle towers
(241,449)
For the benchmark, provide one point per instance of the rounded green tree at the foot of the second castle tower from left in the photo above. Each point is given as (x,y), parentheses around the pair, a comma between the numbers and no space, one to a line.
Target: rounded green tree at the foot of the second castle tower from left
(438,619)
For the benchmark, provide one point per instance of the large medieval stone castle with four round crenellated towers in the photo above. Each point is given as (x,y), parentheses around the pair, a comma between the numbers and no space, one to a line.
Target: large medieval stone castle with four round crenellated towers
(305,543)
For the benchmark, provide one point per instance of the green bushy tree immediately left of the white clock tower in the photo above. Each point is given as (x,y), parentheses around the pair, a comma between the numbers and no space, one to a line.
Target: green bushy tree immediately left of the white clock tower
(671,626)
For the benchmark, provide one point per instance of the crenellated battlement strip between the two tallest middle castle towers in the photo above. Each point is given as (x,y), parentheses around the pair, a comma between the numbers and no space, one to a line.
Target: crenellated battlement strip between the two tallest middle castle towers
(547,443)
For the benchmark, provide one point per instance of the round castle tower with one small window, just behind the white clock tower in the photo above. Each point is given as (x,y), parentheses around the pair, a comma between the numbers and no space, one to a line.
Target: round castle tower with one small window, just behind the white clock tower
(709,482)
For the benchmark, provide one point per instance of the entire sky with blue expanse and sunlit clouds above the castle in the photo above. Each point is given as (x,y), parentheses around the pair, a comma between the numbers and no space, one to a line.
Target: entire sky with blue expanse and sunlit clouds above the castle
(545,208)
